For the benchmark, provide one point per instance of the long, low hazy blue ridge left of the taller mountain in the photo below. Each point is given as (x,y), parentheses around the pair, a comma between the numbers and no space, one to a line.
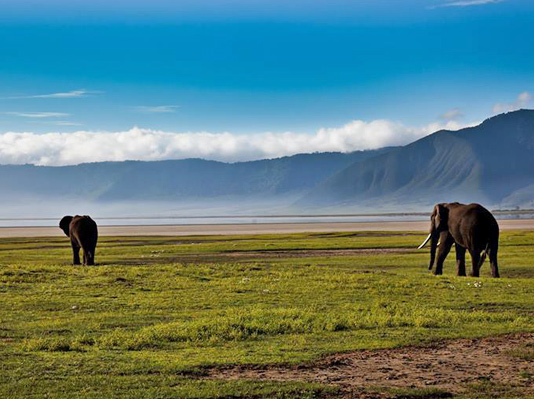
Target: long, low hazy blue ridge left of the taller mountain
(176,179)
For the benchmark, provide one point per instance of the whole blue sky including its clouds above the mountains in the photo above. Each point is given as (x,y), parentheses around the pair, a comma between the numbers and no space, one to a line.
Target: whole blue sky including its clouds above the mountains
(233,80)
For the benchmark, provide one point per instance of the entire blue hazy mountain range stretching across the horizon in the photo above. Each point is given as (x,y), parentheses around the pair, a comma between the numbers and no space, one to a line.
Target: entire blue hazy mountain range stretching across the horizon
(492,163)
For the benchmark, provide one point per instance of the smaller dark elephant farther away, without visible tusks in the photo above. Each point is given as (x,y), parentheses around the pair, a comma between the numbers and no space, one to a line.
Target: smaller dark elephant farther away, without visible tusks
(83,233)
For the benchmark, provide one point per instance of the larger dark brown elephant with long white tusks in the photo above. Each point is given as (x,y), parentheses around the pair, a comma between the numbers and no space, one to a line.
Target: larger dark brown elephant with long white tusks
(469,227)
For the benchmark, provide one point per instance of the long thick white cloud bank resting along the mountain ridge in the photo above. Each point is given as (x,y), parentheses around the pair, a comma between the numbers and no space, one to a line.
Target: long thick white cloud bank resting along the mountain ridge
(145,144)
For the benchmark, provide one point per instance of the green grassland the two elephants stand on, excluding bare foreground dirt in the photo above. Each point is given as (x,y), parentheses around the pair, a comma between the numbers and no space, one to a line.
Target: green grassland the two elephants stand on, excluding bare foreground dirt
(157,311)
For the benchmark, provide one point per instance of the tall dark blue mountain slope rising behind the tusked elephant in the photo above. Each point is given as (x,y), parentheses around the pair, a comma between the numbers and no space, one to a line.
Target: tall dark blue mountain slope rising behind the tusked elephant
(492,163)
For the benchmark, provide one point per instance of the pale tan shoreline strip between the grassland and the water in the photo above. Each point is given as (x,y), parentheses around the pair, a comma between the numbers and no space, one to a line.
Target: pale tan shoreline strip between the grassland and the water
(248,228)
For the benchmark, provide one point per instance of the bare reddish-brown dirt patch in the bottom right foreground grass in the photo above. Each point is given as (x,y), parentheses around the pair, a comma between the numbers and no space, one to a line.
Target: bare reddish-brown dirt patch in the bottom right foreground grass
(449,366)
